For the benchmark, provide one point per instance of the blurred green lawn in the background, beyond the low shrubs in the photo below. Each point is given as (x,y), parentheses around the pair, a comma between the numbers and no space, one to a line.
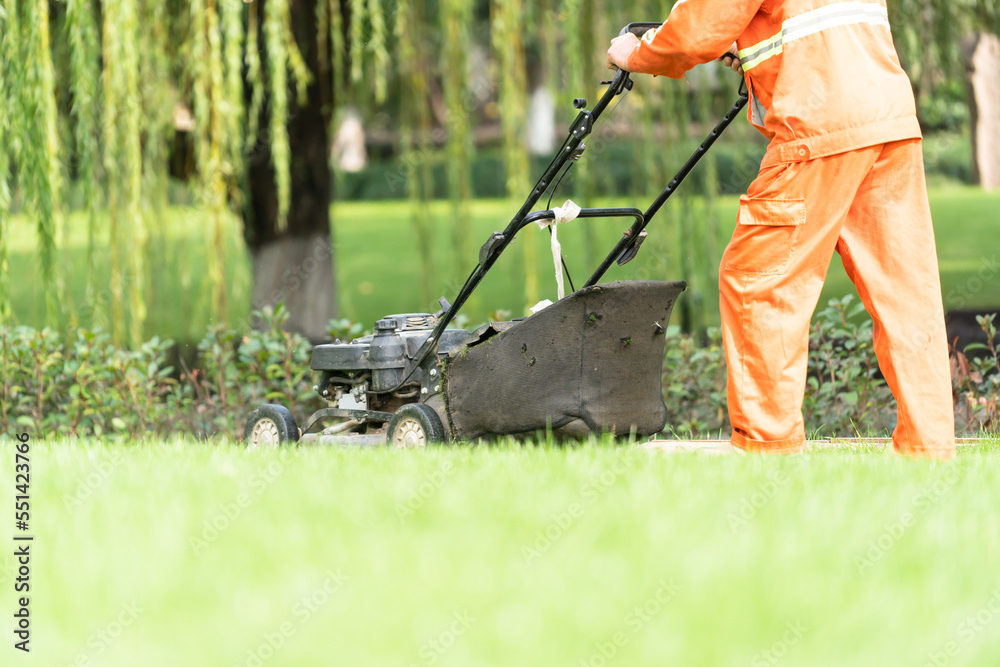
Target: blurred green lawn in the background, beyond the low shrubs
(378,267)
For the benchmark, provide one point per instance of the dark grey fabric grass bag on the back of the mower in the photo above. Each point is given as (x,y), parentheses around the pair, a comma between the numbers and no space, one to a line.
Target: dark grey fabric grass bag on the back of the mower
(589,363)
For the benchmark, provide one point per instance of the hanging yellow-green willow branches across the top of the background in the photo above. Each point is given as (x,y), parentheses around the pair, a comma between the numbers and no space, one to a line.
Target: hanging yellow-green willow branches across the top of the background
(92,92)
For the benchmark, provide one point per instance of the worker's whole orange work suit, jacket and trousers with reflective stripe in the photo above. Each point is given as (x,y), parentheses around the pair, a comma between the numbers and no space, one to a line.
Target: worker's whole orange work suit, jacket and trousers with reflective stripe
(843,171)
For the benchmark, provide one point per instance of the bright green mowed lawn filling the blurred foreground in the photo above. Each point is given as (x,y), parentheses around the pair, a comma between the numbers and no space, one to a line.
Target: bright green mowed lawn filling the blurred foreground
(181,553)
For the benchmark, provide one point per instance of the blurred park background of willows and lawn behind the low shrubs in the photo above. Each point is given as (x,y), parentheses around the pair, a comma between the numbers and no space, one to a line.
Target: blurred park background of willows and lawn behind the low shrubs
(166,166)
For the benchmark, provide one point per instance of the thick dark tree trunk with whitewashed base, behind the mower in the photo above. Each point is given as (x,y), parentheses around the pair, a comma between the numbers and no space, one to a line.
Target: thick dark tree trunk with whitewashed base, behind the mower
(295,265)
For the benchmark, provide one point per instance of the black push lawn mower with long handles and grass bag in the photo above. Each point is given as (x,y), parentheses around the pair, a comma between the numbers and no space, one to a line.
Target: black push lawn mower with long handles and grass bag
(589,363)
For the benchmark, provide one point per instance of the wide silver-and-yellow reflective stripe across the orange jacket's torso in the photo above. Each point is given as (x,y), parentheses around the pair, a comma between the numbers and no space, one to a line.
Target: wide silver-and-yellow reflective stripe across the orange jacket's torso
(803,25)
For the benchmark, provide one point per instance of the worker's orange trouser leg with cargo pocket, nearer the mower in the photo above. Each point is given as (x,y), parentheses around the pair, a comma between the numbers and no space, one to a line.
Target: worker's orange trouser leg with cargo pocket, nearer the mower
(771,276)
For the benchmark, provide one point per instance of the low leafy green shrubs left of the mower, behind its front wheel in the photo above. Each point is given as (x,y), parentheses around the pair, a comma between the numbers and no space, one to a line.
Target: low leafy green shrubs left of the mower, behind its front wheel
(89,386)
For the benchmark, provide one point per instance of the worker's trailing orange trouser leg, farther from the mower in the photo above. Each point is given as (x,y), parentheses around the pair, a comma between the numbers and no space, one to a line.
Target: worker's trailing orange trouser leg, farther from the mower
(887,244)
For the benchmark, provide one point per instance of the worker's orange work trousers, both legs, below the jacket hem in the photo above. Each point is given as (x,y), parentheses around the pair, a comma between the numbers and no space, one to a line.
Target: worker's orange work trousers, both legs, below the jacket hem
(870,205)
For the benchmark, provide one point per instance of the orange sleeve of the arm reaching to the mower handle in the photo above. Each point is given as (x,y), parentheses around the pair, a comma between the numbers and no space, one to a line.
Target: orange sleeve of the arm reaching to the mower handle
(696,31)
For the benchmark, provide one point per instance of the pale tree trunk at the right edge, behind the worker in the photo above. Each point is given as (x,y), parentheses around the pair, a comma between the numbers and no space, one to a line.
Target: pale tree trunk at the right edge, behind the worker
(982,66)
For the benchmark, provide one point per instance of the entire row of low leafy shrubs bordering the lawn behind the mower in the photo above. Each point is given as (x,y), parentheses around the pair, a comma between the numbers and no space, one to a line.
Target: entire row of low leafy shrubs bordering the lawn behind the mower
(86,386)
